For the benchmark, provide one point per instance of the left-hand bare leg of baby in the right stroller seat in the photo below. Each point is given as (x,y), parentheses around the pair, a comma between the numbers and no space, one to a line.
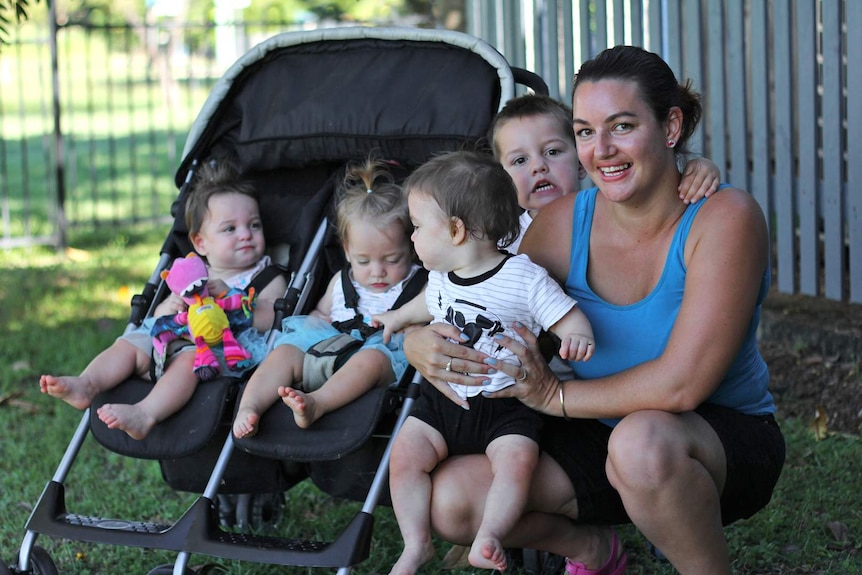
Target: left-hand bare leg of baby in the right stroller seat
(282,367)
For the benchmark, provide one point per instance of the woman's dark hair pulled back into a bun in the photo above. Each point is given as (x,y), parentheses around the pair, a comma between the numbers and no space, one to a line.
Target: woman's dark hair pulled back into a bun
(658,86)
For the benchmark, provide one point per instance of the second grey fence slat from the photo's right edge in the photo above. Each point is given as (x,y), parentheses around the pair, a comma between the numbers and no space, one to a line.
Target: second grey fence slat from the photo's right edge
(833,216)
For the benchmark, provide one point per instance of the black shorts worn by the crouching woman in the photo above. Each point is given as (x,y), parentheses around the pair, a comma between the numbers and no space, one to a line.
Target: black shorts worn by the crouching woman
(753,446)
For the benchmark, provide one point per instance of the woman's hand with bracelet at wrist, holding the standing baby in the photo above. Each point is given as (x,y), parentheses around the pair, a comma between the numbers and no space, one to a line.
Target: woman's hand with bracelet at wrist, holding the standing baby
(536,386)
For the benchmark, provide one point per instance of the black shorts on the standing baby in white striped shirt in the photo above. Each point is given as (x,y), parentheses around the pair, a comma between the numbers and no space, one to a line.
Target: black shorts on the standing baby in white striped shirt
(470,431)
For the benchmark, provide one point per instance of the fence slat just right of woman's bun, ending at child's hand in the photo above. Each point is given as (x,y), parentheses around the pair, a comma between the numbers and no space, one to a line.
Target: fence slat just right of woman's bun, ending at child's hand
(715,104)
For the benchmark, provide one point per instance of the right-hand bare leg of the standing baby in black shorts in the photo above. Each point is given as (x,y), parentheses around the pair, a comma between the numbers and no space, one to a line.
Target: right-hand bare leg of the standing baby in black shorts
(513,459)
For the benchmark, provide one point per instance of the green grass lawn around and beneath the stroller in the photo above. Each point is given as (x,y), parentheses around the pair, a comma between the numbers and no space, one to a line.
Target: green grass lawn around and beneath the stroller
(57,311)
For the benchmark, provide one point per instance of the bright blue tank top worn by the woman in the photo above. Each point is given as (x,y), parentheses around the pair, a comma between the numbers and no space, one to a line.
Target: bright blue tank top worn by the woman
(632,334)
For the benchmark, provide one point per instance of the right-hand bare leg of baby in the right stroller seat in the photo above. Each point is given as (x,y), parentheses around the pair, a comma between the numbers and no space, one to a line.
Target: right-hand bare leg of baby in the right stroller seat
(365,369)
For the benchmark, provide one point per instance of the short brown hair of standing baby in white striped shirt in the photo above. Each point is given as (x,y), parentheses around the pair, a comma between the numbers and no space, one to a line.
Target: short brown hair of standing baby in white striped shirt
(474,188)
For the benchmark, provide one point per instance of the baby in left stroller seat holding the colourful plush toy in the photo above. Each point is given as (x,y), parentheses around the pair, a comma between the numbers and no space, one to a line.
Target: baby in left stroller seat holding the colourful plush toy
(224,224)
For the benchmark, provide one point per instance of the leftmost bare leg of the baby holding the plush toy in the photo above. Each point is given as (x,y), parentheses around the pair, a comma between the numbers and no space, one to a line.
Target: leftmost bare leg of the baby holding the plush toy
(111,367)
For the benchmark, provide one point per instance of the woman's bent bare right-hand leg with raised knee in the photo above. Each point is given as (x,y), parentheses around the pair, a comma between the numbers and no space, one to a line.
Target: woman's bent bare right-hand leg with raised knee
(670,471)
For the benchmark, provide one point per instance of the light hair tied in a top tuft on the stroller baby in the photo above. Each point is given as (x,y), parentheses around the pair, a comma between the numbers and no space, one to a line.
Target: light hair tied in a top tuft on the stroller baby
(369,193)
